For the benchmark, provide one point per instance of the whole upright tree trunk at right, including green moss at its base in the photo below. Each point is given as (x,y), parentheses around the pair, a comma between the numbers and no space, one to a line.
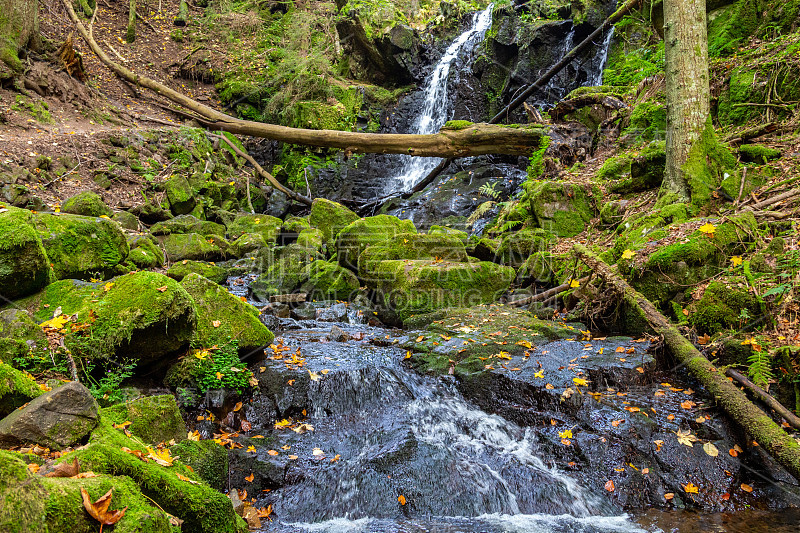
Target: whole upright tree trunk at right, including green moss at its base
(695,158)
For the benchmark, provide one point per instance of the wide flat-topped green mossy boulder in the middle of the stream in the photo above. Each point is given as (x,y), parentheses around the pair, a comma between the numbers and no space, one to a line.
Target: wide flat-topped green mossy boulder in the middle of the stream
(409,287)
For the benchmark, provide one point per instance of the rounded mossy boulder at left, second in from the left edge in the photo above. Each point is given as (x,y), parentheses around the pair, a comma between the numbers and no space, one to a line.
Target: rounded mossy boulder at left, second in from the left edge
(81,247)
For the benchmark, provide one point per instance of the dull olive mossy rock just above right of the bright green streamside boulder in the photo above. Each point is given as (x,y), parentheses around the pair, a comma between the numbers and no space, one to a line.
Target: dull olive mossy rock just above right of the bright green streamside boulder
(284,274)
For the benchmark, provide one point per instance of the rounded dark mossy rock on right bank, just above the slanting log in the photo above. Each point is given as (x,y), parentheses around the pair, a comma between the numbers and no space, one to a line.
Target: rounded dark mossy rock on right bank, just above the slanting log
(721,307)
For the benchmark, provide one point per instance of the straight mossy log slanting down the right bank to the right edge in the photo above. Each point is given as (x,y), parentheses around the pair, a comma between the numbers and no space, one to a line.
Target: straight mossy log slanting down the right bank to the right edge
(769,435)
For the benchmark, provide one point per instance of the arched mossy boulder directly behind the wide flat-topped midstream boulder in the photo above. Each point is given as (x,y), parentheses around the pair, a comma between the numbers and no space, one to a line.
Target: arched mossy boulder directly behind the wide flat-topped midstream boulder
(436,246)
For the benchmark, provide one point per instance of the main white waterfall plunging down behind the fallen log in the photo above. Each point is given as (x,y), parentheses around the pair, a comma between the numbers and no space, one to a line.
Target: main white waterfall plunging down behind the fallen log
(437,106)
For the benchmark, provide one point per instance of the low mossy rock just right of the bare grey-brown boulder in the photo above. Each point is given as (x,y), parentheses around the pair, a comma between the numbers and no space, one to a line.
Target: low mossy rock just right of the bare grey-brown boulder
(154,419)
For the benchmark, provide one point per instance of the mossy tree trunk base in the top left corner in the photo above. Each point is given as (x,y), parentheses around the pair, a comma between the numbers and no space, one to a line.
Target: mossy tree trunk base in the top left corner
(19,29)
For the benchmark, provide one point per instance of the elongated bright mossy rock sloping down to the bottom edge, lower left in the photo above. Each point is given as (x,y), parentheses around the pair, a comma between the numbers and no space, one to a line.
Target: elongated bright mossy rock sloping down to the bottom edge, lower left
(202,509)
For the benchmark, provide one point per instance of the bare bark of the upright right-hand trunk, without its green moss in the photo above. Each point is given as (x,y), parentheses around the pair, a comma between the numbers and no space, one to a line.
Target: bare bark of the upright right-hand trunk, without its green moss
(688,107)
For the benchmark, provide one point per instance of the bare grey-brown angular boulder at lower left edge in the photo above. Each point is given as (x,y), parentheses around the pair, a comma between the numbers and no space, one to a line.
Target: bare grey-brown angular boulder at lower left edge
(56,419)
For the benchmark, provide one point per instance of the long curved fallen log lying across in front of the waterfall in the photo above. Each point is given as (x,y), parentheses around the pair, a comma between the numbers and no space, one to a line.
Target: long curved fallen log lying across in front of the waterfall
(478,139)
